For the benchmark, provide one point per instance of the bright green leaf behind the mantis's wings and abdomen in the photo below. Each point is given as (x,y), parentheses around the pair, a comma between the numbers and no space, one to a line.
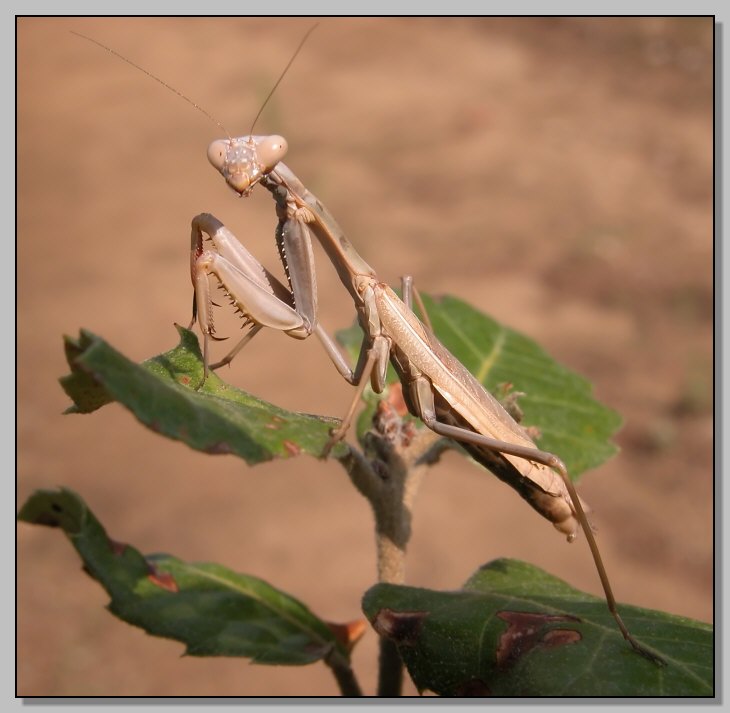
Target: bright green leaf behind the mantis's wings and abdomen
(557,401)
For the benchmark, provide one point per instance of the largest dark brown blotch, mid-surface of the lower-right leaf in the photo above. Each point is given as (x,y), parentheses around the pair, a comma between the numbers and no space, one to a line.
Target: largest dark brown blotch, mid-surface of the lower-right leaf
(527,631)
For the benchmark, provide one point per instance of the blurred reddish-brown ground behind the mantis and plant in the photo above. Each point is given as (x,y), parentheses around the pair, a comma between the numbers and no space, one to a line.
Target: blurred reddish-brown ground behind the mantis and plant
(555,173)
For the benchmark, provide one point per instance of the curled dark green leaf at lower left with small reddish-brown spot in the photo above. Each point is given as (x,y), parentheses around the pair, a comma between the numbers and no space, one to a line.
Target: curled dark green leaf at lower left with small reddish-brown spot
(210,609)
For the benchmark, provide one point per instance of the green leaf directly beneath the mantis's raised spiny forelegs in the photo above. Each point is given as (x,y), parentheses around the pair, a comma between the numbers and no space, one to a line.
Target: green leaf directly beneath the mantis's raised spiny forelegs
(216,418)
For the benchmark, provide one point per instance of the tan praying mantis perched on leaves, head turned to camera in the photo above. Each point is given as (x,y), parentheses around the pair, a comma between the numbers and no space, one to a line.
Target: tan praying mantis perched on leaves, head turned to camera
(437,388)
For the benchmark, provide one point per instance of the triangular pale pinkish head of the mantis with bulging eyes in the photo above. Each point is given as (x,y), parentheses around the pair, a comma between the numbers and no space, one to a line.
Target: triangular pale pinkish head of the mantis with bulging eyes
(244,161)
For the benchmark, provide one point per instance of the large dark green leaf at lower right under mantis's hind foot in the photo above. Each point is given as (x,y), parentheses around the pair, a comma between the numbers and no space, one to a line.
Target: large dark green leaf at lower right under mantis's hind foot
(514,630)
